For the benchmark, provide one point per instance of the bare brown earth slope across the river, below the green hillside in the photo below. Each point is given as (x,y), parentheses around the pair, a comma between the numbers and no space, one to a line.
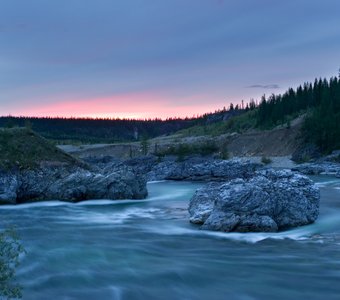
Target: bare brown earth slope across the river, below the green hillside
(280,141)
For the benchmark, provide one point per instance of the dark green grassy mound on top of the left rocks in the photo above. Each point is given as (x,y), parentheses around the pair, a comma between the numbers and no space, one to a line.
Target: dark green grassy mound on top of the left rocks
(22,148)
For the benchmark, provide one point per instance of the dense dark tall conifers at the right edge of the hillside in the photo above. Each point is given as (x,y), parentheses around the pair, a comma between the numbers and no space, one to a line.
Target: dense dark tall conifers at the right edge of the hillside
(320,100)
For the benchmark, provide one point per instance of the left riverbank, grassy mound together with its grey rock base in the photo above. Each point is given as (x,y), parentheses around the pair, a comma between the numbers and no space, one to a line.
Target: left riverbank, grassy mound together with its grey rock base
(33,169)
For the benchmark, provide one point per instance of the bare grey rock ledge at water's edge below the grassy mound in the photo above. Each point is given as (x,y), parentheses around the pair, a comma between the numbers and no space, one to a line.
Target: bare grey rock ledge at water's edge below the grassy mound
(70,183)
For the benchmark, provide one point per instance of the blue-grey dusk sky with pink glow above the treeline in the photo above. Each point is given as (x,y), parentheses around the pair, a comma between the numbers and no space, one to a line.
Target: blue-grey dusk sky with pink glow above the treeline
(159,58)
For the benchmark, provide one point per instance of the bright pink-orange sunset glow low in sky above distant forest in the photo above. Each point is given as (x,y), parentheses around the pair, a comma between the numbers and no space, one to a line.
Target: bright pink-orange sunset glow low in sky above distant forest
(130,106)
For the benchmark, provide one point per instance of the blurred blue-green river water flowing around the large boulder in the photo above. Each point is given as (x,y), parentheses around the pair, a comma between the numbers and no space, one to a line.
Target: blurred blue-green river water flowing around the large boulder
(147,249)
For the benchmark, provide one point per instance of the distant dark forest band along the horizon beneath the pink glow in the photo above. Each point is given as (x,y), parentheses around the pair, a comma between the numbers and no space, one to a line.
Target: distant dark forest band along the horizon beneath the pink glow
(87,130)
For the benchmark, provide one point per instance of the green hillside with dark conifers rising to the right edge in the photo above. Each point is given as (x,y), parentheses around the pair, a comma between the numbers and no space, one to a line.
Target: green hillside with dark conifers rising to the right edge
(317,102)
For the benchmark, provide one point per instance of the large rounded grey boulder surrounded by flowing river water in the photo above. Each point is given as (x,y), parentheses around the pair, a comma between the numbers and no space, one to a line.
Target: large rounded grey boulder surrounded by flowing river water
(270,201)
